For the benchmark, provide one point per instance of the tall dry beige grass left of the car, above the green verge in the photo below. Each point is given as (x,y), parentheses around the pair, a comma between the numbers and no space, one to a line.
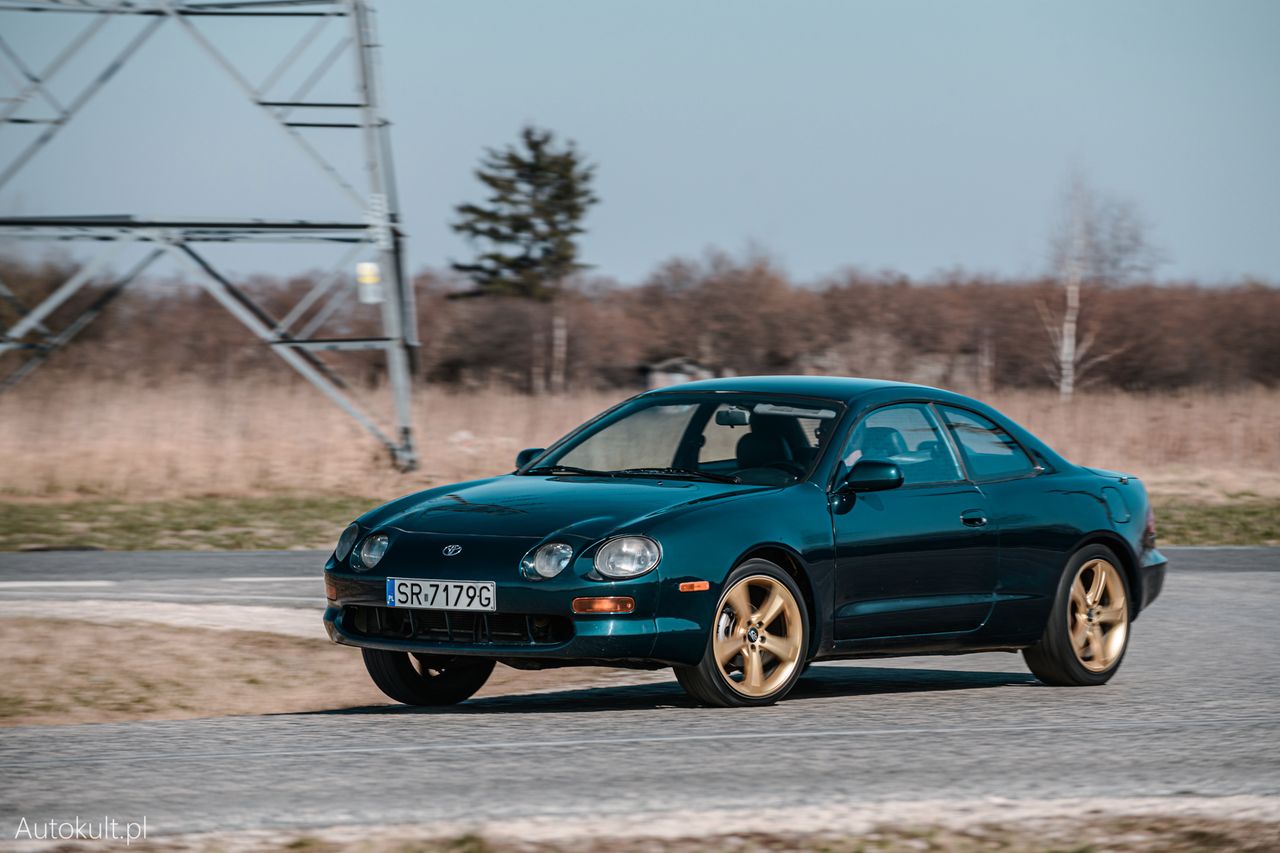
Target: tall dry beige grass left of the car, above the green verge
(186,440)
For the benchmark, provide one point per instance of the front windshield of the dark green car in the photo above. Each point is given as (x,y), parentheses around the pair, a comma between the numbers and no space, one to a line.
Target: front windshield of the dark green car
(735,439)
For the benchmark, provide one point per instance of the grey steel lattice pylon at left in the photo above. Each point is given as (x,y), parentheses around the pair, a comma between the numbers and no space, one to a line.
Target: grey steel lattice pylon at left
(378,230)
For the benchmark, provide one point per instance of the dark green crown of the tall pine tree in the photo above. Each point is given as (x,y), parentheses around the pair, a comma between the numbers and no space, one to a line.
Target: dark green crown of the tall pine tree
(527,232)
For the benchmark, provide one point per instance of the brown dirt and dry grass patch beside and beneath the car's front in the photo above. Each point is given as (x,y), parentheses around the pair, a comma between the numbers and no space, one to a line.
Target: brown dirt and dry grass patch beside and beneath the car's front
(65,672)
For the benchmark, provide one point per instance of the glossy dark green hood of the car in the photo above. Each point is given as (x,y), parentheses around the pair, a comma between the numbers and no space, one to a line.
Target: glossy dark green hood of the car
(543,507)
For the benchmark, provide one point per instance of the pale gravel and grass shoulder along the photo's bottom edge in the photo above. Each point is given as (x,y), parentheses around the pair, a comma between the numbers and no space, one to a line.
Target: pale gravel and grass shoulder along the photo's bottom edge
(1124,825)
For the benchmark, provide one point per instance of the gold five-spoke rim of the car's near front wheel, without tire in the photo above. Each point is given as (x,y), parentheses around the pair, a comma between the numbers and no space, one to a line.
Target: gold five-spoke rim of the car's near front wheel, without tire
(758,636)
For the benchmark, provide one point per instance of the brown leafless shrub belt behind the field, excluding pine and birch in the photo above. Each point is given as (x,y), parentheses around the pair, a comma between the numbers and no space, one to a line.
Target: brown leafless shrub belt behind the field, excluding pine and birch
(732,314)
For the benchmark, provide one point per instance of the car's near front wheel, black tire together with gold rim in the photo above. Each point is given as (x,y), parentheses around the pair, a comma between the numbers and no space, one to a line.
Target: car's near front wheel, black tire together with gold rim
(761,604)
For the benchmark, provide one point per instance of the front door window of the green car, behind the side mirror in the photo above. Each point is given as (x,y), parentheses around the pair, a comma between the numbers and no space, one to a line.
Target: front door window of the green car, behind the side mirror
(909,437)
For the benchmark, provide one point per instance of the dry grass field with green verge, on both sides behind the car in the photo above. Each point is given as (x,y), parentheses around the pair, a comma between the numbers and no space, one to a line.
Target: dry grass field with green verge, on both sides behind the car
(86,449)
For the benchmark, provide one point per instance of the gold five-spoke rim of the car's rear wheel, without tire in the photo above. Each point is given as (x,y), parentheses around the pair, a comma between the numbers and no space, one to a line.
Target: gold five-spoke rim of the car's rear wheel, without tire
(1099,615)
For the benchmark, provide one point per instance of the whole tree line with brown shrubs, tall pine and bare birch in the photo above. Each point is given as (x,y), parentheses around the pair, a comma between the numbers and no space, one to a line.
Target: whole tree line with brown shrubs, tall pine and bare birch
(527,313)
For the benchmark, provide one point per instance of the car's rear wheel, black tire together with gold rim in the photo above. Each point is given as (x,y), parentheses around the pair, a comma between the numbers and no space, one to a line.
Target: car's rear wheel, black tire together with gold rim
(1089,630)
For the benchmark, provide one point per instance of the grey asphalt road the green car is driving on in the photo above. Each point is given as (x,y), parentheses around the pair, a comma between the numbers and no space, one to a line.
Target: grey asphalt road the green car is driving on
(1195,711)
